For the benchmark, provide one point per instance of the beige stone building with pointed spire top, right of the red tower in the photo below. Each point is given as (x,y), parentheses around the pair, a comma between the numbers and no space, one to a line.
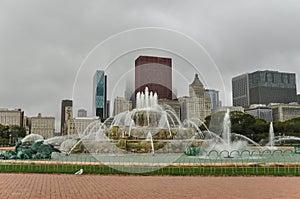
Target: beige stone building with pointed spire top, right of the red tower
(196,106)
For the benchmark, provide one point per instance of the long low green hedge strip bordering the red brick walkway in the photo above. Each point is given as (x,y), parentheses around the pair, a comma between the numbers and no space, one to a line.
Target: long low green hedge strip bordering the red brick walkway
(182,171)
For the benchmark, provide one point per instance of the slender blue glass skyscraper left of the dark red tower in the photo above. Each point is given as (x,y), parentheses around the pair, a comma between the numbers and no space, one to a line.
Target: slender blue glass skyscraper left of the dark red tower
(100,95)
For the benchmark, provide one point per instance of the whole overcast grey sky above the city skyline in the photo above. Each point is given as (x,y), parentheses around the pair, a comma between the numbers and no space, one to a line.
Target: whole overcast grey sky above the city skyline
(48,49)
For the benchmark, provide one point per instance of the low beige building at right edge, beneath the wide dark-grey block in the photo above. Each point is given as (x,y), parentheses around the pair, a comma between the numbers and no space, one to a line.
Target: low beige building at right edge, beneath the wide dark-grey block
(283,112)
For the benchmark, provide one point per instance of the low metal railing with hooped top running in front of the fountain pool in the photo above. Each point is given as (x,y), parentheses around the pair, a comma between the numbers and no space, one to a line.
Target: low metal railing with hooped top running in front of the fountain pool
(255,162)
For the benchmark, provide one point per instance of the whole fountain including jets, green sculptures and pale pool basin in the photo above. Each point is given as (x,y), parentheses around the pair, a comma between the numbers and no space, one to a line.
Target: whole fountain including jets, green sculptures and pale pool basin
(152,134)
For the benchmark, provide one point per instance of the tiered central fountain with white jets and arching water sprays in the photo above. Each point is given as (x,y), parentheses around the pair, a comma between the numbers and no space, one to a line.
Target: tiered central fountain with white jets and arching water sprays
(152,128)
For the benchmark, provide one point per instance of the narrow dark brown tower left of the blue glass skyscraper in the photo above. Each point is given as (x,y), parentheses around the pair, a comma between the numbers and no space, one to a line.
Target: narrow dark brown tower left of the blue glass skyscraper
(66,115)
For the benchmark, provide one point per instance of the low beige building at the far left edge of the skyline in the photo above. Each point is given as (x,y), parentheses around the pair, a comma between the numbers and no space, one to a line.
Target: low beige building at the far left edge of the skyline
(12,117)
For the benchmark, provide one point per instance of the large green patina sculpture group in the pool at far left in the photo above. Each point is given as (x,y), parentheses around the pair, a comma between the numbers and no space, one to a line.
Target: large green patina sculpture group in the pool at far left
(38,150)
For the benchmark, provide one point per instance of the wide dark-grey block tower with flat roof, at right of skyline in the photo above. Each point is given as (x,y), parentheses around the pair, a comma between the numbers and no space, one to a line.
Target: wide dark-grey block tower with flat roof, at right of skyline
(263,87)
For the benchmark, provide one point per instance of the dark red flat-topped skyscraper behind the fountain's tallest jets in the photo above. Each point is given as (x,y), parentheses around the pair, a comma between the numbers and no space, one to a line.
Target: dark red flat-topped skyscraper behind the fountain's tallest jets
(154,73)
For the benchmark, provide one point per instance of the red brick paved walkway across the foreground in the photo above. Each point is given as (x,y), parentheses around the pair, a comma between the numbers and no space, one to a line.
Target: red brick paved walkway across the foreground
(97,186)
